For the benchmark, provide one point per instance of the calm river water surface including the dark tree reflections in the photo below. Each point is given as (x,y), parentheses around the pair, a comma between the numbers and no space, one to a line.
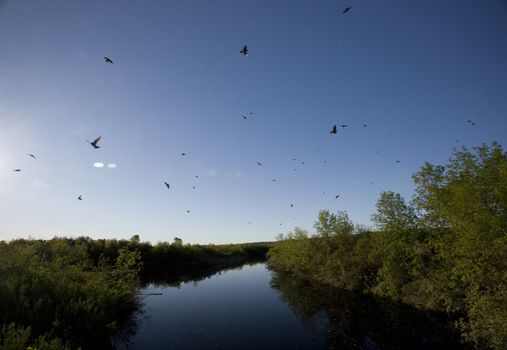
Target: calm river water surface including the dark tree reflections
(254,308)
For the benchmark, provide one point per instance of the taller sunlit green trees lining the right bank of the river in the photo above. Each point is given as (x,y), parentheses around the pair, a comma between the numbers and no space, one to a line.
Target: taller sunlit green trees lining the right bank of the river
(444,250)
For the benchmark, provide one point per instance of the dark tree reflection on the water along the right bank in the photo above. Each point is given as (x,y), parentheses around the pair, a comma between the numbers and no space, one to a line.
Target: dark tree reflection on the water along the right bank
(354,321)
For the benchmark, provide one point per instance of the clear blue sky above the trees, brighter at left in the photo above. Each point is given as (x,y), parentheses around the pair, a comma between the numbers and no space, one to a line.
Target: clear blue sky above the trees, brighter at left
(413,71)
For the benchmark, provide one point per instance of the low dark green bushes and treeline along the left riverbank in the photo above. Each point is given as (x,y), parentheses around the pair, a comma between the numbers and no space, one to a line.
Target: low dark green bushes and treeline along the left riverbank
(68,293)
